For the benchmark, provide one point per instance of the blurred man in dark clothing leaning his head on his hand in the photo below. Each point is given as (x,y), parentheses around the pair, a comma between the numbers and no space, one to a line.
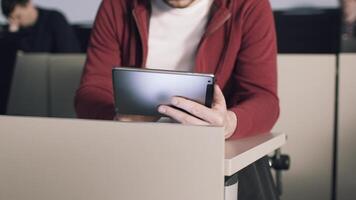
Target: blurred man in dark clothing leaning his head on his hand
(38,30)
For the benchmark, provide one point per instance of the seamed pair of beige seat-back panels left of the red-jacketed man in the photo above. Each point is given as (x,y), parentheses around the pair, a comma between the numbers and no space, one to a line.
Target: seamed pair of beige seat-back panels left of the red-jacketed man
(44,85)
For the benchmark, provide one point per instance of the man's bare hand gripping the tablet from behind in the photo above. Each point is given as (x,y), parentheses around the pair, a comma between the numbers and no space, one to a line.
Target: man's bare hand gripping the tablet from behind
(218,115)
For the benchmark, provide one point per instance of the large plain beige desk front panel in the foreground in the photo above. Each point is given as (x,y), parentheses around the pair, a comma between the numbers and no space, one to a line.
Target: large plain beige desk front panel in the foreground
(56,159)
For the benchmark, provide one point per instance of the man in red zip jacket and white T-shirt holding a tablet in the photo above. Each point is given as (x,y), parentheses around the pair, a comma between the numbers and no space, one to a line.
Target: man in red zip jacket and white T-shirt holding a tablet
(235,40)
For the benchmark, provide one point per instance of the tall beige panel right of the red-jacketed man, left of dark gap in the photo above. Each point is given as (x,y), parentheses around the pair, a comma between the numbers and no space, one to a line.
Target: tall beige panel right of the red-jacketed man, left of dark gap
(306,89)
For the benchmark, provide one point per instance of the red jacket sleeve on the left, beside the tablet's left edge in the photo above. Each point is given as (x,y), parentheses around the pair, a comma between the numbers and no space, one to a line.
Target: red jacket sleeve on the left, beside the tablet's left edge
(94,98)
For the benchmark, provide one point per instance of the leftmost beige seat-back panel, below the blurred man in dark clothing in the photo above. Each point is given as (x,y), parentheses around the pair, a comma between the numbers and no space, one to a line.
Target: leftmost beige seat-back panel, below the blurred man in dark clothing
(29,86)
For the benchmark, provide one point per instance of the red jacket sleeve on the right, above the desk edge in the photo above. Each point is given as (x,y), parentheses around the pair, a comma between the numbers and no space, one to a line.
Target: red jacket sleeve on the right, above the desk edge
(256,100)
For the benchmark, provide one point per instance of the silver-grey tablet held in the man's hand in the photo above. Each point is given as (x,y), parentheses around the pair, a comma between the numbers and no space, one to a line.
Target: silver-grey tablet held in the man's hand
(140,91)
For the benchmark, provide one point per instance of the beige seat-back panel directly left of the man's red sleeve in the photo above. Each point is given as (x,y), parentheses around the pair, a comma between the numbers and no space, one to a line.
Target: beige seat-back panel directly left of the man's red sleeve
(64,76)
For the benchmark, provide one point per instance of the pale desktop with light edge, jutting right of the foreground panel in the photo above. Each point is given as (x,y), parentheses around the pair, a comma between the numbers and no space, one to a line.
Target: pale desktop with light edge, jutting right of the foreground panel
(240,153)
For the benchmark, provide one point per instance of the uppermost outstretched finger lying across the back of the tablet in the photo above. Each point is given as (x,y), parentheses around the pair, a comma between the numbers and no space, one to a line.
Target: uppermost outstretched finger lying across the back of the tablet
(196,109)
